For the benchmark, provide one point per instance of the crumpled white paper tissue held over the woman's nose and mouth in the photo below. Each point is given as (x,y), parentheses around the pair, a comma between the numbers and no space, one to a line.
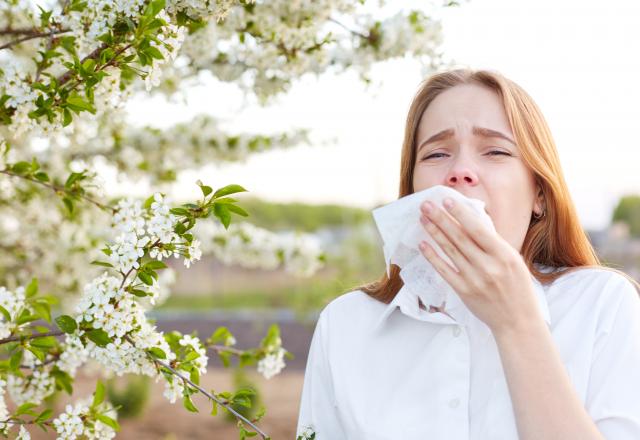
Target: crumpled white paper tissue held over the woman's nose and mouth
(399,226)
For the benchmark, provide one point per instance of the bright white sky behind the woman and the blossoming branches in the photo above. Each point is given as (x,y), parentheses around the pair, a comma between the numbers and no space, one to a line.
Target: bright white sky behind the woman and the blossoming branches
(577,59)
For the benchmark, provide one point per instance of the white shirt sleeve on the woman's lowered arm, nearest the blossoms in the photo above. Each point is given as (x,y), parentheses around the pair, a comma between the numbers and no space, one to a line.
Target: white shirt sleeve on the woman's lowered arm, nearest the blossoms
(318,409)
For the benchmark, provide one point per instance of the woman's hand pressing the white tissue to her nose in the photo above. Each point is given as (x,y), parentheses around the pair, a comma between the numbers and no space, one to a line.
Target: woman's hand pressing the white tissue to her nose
(493,280)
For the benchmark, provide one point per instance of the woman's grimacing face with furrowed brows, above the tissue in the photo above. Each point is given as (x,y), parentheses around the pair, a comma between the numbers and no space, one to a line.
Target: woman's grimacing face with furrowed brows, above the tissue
(464,141)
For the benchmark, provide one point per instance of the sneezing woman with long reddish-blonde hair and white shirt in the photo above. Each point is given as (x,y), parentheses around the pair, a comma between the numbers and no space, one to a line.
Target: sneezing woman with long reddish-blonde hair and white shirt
(381,367)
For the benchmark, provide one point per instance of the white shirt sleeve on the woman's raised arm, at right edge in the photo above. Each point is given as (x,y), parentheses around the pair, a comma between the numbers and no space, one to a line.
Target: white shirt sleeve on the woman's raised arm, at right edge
(613,396)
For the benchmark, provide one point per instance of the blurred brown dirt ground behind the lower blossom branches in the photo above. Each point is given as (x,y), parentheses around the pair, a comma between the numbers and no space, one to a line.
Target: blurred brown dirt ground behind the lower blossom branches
(165,421)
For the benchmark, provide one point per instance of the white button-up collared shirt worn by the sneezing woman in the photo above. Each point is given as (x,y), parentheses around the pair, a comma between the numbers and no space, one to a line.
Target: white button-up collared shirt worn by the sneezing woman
(395,371)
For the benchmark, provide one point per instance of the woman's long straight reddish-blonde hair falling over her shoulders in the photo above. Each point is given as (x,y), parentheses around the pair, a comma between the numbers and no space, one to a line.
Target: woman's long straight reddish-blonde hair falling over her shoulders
(557,239)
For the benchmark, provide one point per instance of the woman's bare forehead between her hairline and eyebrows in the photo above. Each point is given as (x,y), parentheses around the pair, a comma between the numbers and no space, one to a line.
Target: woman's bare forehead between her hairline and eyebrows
(462,107)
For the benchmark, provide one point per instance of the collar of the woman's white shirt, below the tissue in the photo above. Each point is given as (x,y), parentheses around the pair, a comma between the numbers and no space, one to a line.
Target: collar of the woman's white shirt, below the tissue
(408,304)
